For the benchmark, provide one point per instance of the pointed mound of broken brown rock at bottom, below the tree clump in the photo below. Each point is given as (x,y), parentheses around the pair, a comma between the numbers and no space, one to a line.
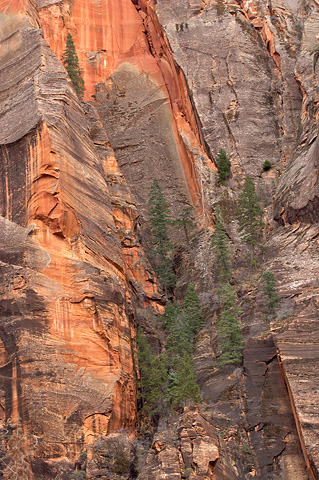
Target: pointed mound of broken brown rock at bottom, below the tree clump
(187,447)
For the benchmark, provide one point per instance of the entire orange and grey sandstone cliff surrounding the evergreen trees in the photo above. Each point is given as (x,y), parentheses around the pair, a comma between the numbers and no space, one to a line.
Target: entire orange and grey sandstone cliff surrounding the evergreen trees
(167,84)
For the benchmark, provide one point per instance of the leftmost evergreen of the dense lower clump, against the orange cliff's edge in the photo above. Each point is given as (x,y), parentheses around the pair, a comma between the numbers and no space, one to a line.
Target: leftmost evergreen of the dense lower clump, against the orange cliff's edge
(154,377)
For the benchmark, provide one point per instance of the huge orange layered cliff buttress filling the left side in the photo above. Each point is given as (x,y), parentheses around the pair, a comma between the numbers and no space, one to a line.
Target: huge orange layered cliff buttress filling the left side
(68,323)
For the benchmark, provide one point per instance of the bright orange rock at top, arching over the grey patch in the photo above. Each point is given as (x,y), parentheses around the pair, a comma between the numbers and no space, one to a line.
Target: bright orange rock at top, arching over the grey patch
(109,34)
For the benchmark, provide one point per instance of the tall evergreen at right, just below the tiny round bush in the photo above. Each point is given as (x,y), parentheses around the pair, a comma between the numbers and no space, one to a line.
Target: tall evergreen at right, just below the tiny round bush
(250,214)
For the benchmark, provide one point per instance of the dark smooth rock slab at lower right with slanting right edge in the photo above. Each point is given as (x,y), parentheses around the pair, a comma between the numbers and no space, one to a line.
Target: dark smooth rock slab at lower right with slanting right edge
(271,426)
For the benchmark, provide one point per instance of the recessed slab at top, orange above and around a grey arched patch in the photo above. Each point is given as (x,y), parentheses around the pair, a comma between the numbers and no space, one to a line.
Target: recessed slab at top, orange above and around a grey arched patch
(138,89)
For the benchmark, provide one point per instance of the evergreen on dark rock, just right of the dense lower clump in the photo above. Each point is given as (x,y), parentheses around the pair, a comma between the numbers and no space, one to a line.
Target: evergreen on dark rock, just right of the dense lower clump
(229,331)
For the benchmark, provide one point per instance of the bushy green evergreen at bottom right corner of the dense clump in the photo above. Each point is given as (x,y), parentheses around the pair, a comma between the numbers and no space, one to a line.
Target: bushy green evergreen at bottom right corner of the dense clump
(183,387)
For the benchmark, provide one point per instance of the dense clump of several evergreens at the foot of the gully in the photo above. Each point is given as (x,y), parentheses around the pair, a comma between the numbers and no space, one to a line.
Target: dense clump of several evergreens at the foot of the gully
(168,380)
